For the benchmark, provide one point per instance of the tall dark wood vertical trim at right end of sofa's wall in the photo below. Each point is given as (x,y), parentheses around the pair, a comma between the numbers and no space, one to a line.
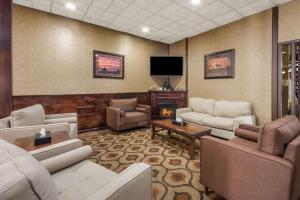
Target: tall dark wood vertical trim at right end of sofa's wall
(274,103)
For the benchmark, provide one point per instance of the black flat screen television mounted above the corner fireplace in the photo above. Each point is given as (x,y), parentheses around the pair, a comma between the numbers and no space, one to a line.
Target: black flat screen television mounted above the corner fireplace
(167,66)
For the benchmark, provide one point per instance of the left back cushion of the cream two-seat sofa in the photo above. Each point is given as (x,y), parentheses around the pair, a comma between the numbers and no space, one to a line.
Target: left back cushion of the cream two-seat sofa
(202,105)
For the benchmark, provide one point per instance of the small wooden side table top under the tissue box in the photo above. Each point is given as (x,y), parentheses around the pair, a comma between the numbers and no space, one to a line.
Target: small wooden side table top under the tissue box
(27,143)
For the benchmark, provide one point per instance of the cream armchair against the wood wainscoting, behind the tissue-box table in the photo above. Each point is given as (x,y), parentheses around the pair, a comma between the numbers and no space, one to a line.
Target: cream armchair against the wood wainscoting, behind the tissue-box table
(28,121)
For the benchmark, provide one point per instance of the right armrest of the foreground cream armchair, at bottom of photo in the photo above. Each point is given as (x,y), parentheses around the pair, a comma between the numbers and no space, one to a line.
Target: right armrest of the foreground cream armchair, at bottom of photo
(133,183)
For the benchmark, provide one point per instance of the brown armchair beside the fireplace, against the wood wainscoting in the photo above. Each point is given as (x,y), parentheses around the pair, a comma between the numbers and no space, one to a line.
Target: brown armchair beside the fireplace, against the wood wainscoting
(127,113)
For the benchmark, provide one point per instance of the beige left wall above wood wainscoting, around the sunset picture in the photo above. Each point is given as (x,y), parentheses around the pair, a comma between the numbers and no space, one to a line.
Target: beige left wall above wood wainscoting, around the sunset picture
(53,55)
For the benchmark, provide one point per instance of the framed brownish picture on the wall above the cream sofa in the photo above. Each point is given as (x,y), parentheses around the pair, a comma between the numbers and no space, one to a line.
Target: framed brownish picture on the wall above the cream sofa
(219,64)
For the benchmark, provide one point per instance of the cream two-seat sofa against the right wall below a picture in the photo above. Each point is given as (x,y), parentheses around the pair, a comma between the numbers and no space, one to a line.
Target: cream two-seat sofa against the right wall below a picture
(222,116)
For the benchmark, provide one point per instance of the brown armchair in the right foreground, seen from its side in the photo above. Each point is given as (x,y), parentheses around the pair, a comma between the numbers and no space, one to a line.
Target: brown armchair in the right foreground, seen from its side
(260,163)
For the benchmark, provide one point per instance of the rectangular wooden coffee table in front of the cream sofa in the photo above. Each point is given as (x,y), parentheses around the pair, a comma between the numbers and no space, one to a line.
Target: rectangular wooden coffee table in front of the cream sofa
(189,131)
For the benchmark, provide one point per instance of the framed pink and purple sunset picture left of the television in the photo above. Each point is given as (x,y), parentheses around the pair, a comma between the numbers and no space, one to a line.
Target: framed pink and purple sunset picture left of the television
(108,65)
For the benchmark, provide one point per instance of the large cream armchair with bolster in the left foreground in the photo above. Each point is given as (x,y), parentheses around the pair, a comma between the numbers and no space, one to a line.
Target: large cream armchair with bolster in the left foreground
(68,176)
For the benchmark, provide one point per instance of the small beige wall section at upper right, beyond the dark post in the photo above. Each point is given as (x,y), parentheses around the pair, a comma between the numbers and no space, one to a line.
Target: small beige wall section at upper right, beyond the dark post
(289,21)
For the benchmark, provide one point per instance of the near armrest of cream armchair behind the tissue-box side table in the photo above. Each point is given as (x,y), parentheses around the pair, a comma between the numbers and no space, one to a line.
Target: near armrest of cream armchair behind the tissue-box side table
(11,134)
